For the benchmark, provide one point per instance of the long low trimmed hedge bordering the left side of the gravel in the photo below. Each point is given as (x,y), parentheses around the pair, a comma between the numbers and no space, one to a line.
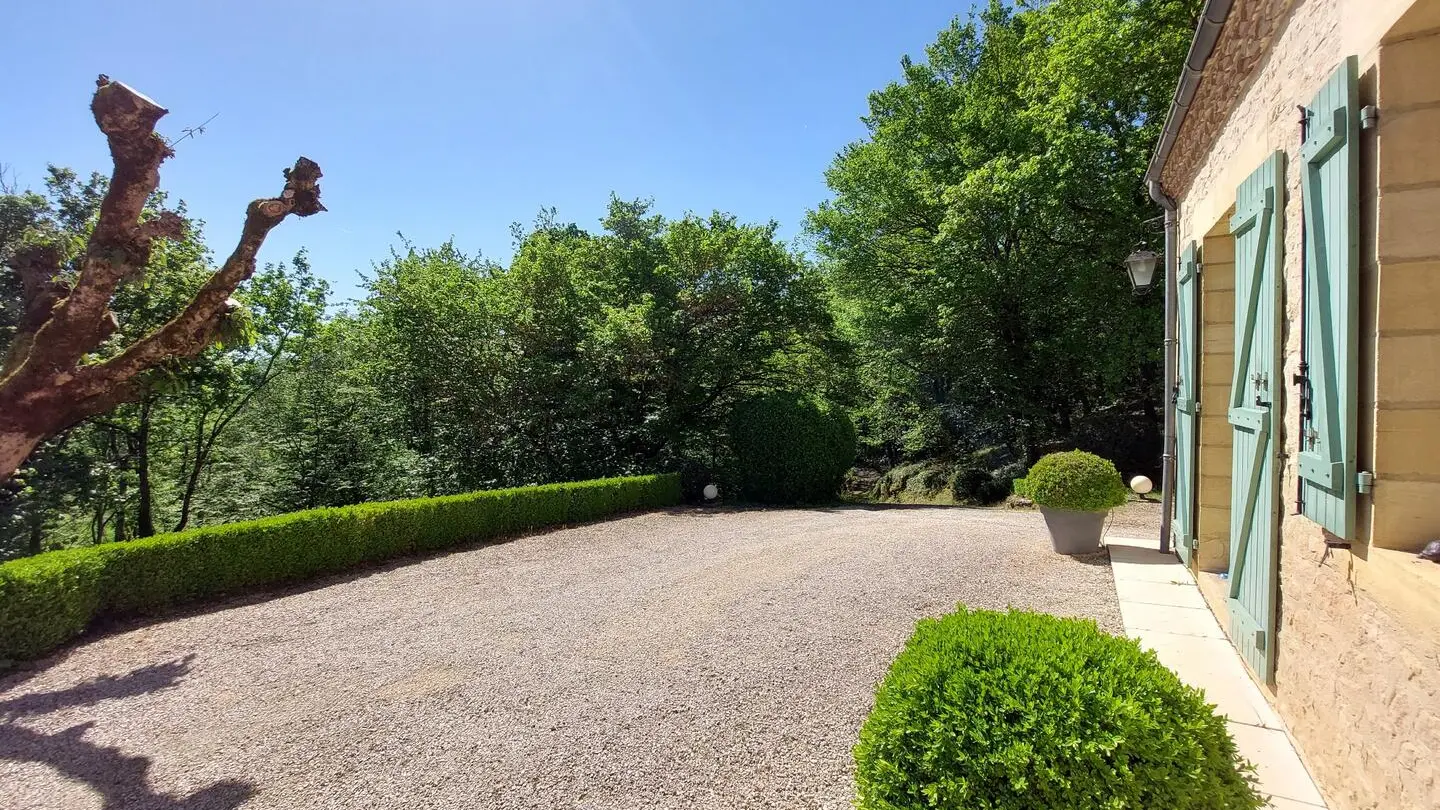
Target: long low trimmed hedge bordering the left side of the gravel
(50,599)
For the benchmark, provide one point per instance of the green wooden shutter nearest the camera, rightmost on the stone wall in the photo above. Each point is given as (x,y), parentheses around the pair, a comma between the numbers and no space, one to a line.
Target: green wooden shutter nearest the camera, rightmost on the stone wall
(1330,373)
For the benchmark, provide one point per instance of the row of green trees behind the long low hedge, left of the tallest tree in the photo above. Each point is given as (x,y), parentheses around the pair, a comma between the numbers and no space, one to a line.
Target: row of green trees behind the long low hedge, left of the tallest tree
(590,355)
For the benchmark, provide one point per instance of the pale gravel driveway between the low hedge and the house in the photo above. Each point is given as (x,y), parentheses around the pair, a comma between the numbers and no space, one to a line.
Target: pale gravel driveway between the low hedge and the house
(676,659)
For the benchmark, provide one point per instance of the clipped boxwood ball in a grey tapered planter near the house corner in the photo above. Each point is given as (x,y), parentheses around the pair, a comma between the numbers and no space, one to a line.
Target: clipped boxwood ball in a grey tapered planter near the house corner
(1075,492)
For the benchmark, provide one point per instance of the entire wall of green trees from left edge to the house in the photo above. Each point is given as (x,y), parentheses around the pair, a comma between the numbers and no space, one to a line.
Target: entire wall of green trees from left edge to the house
(967,309)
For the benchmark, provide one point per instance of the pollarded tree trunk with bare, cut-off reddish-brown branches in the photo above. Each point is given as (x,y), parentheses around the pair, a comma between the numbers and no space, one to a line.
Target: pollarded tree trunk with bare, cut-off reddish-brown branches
(48,384)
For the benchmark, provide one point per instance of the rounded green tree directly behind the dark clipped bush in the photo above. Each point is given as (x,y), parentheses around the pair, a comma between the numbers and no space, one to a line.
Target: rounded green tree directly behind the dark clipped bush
(678,321)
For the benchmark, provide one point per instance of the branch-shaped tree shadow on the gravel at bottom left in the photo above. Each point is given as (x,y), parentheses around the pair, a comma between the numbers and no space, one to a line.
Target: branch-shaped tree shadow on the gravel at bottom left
(120,779)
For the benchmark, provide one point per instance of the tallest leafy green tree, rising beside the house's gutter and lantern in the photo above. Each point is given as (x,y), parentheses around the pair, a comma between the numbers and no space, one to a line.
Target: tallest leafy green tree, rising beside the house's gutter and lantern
(974,237)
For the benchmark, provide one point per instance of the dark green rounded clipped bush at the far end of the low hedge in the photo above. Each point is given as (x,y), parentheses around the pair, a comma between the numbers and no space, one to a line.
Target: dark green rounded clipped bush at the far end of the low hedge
(791,449)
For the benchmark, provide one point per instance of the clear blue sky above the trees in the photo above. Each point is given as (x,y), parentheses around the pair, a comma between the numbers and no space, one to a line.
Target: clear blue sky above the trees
(449,119)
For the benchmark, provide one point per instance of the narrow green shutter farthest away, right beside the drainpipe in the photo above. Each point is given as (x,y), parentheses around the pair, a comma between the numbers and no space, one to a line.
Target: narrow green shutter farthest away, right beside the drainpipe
(1187,403)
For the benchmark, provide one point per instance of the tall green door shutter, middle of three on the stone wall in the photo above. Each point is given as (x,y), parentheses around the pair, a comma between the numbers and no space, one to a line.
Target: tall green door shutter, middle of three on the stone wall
(1255,419)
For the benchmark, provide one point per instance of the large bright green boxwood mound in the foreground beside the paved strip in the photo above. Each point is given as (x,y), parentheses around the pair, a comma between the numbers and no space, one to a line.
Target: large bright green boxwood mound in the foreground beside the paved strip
(1025,711)
